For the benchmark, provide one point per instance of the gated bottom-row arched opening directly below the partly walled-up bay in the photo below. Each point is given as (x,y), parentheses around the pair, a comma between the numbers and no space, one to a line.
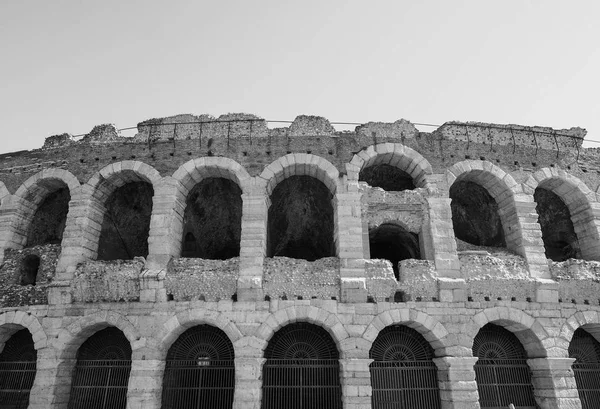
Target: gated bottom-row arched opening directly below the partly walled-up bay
(403,374)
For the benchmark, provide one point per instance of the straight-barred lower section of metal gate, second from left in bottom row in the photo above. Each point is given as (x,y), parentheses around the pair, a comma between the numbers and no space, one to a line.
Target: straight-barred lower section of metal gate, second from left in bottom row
(100,384)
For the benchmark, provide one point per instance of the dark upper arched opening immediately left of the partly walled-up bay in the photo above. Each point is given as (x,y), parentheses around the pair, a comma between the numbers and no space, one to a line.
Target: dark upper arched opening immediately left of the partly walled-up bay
(301,220)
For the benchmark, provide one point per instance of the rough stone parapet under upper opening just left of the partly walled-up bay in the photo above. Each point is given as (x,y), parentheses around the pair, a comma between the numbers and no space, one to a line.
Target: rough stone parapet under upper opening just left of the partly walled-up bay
(290,278)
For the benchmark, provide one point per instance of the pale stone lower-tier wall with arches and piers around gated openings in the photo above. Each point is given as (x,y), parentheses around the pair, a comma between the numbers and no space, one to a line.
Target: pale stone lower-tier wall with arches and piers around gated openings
(543,328)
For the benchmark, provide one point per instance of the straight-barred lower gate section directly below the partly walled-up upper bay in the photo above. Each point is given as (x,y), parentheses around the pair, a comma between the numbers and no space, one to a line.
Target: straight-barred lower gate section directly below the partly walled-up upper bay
(404,384)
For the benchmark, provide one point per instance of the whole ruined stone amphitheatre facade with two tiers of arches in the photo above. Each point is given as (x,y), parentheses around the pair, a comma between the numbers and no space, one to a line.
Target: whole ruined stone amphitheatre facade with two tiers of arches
(216,262)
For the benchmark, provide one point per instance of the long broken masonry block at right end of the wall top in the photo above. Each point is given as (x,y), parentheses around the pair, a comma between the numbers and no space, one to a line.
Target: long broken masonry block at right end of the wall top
(517,135)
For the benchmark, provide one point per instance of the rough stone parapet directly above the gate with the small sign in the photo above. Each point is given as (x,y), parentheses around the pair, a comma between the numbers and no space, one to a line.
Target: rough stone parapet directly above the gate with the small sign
(191,279)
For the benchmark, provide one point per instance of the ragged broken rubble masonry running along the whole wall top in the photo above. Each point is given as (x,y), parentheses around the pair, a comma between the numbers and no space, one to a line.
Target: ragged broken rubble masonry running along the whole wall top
(189,126)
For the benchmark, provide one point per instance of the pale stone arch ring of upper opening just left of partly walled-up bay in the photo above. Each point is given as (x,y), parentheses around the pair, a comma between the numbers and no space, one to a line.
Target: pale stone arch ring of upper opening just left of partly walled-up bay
(300,164)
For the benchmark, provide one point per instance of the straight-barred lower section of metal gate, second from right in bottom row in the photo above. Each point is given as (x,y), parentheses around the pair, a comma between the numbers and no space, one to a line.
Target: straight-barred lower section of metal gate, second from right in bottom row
(501,382)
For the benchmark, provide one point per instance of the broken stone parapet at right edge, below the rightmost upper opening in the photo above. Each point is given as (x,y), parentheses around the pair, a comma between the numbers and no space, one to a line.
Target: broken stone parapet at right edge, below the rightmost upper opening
(578,281)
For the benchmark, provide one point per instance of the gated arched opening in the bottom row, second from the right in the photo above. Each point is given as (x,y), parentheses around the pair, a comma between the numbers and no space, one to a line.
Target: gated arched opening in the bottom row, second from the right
(502,374)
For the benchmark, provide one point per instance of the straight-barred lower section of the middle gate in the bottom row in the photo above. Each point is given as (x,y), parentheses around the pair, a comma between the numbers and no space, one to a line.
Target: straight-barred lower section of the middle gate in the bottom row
(301,384)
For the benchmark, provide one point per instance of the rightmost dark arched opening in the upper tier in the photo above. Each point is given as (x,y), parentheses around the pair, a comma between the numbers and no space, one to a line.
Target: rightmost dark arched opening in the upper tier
(558,234)
